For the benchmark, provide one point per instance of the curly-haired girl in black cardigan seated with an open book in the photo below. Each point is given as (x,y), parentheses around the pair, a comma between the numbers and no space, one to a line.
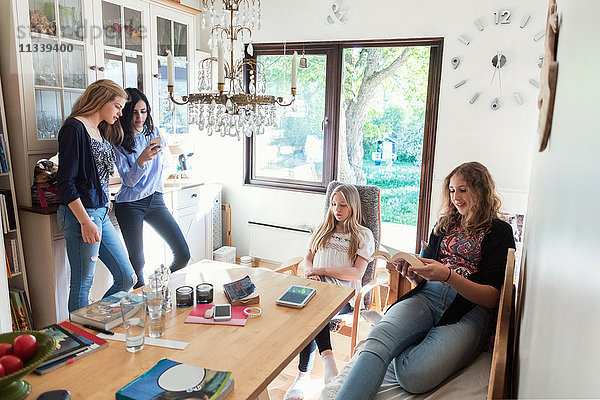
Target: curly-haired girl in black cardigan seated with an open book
(442,324)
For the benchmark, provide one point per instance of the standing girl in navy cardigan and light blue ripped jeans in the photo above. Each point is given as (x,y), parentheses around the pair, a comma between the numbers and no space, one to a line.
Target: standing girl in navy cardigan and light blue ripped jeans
(86,161)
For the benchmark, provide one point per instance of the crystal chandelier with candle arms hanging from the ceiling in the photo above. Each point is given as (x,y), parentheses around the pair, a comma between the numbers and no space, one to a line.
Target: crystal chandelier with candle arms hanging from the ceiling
(232,110)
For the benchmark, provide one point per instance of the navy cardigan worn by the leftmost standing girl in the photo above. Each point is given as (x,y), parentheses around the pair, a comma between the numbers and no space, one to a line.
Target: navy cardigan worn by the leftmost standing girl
(77,172)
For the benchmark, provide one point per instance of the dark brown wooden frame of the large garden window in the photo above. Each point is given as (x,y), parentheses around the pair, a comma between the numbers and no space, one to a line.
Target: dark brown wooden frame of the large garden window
(333,92)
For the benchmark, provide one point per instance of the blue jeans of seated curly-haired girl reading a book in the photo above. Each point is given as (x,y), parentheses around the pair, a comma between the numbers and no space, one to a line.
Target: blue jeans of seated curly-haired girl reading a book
(424,355)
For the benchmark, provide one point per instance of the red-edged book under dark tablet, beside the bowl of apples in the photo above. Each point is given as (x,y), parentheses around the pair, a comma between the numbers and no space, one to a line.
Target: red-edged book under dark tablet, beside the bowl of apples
(65,333)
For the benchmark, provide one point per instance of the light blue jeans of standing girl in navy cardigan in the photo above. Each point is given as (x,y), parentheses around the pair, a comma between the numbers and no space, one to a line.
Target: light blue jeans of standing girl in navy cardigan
(83,256)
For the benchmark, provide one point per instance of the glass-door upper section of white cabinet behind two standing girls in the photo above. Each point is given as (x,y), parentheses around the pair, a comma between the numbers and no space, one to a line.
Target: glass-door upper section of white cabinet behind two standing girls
(54,49)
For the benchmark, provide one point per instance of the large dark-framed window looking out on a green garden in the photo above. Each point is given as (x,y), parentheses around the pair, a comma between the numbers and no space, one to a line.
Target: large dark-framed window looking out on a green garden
(365,113)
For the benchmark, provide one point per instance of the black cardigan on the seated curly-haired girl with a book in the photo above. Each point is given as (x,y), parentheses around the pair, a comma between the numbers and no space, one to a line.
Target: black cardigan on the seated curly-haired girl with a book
(490,270)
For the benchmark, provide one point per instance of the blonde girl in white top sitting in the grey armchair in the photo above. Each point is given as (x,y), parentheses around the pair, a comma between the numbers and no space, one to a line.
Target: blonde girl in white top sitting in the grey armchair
(338,253)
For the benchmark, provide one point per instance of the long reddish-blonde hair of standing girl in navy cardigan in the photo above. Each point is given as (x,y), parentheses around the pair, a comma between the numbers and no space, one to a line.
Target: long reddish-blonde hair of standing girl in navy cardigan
(93,99)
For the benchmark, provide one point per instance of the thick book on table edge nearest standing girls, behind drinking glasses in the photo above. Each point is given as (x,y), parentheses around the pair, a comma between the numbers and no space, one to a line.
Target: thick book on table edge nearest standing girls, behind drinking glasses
(105,313)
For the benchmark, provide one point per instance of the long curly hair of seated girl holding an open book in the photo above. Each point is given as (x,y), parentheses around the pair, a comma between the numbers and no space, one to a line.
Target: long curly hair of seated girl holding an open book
(486,203)
